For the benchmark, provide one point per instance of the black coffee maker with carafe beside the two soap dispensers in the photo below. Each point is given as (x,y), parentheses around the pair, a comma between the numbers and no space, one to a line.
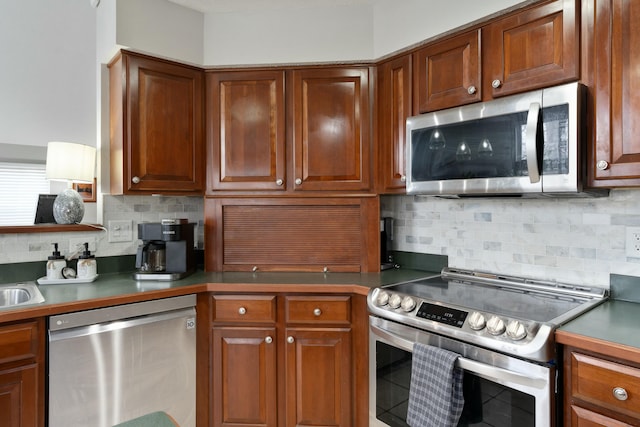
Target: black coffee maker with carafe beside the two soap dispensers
(166,251)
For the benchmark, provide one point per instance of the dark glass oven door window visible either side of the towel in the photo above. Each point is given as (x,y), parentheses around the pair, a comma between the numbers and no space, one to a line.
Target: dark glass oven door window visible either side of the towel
(486,403)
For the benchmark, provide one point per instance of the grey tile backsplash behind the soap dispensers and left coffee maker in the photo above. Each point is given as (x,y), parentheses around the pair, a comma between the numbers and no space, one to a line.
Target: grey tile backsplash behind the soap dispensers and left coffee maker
(21,247)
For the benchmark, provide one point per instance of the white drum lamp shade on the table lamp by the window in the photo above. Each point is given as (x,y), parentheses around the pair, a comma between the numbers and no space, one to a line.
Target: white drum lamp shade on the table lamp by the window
(67,161)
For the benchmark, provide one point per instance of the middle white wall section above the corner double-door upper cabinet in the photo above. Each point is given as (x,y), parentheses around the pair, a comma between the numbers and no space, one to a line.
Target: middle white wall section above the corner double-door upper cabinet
(339,33)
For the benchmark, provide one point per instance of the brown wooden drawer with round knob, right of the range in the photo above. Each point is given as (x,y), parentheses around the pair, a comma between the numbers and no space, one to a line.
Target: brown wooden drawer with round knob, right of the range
(599,381)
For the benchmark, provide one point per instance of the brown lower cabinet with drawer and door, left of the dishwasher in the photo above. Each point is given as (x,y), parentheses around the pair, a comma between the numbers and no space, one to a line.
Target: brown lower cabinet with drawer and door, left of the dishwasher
(22,374)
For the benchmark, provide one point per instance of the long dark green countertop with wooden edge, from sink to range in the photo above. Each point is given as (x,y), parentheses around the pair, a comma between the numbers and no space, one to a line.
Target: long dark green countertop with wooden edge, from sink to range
(121,288)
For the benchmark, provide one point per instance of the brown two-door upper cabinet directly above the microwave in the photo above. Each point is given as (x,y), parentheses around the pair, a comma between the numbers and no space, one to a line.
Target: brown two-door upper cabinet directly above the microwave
(530,49)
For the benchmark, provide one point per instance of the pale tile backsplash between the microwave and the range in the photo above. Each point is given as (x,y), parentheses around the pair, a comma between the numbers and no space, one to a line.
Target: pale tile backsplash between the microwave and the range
(578,241)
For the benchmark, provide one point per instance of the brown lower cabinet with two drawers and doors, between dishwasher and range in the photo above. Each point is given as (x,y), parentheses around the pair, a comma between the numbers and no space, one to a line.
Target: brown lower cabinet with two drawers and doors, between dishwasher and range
(288,360)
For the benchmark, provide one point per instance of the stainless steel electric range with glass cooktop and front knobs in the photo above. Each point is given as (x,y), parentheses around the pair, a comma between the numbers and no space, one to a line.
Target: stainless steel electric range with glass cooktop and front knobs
(502,327)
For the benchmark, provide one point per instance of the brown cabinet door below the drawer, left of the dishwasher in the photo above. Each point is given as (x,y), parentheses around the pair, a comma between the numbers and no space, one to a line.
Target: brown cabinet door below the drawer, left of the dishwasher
(19,397)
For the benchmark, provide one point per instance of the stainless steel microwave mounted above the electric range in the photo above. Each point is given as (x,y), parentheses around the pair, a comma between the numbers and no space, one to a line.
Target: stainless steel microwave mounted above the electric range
(527,145)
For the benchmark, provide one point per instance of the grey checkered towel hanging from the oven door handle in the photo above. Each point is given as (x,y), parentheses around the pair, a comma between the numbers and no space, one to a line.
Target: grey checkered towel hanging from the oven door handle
(435,394)
